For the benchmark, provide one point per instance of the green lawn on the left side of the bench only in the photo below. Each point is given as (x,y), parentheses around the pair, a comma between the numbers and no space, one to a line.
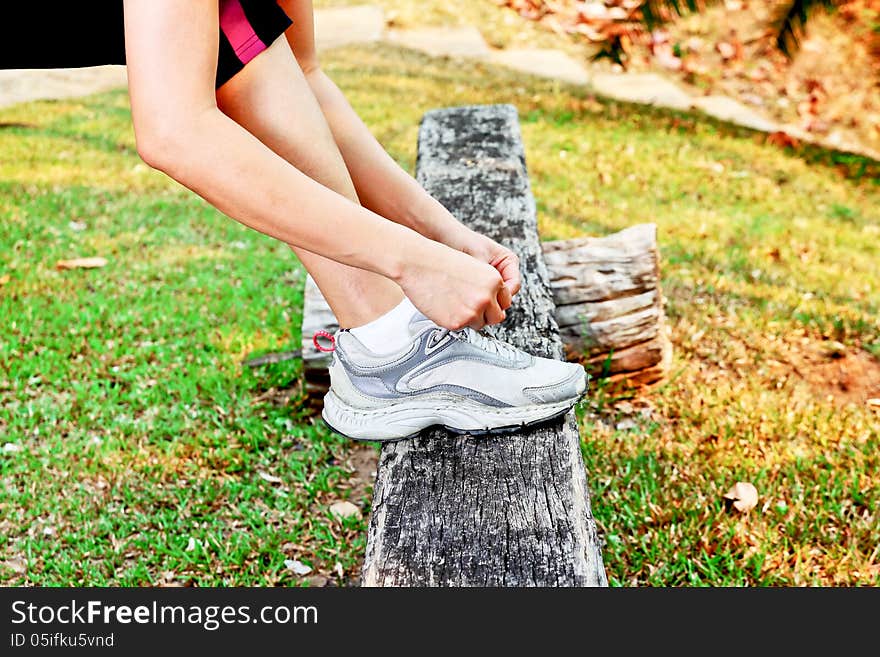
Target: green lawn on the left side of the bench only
(141,433)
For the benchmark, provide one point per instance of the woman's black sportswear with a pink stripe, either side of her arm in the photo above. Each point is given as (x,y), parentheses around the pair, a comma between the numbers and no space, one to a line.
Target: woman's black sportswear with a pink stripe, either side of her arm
(74,34)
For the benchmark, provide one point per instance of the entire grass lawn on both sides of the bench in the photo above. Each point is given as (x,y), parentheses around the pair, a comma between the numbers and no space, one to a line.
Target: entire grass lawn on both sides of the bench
(139,429)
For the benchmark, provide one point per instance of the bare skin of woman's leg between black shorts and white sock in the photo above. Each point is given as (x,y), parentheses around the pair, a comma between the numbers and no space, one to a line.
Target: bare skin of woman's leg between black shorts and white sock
(272,100)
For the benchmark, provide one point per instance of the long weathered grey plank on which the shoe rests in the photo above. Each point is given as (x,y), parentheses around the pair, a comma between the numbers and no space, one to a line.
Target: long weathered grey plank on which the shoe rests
(501,510)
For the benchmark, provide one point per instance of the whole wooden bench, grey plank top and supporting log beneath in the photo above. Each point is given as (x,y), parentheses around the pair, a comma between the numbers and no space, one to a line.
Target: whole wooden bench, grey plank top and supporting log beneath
(510,510)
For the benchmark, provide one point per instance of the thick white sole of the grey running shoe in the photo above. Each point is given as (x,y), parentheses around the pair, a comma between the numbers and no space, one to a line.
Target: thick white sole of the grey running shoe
(338,410)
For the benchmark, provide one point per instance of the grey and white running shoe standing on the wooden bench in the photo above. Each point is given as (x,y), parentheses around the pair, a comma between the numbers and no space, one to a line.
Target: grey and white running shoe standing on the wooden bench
(463,380)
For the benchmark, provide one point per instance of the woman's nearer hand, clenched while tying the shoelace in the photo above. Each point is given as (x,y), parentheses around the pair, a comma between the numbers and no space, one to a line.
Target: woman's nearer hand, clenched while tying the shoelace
(453,288)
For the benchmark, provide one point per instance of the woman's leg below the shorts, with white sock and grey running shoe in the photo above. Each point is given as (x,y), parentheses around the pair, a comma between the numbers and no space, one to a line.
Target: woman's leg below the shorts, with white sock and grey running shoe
(461,380)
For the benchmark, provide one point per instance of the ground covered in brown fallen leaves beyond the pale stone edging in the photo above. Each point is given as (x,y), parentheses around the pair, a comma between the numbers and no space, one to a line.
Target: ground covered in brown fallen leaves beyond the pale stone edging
(828,88)
